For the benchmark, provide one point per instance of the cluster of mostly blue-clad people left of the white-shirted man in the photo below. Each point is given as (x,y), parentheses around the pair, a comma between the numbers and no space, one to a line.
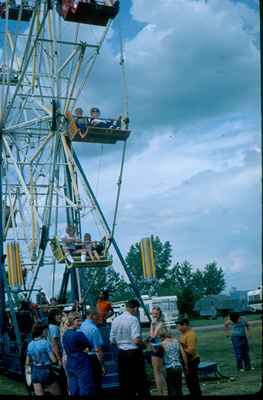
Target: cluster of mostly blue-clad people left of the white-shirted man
(66,353)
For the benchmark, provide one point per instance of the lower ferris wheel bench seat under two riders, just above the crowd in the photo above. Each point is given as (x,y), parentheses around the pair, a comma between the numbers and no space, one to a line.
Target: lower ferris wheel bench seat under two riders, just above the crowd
(59,255)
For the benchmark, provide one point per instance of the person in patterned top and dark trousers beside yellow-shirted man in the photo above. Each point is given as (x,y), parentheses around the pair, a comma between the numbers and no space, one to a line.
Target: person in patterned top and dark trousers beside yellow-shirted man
(173,353)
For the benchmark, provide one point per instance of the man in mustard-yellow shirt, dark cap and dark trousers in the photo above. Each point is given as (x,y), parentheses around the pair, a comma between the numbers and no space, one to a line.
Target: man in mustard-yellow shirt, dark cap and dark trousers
(188,340)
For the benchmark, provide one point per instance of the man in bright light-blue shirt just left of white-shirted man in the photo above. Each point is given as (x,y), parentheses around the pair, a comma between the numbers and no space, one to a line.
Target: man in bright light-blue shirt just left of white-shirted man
(92,333)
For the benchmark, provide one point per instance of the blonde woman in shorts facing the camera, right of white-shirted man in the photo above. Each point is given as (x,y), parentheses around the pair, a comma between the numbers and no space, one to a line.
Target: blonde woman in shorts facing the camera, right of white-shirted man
(157,324)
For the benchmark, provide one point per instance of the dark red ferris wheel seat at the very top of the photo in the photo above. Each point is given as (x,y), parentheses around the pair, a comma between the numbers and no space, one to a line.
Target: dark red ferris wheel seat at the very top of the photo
(94,13)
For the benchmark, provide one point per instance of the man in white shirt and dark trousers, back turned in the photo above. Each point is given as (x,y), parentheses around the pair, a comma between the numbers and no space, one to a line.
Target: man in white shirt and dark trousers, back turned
(126,334)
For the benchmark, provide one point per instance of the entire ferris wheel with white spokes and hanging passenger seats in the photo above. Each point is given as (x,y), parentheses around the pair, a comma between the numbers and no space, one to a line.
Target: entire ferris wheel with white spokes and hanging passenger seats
(43,184)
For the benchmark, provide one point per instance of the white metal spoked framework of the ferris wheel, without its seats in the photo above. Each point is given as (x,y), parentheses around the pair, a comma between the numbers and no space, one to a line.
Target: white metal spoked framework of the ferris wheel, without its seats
(43,185)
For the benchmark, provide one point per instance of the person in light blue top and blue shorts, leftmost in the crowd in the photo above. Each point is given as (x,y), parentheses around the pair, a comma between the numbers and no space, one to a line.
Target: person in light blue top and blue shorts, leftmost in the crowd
(40,357)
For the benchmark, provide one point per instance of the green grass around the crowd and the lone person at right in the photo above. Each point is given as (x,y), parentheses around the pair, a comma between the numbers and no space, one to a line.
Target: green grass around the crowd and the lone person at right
(212,346)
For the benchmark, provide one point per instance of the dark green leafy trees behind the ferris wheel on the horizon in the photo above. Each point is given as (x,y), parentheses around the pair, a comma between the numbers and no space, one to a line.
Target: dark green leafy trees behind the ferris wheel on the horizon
(180,279)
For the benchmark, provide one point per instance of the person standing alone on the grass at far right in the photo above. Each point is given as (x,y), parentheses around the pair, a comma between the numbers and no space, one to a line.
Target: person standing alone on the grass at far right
(239,330)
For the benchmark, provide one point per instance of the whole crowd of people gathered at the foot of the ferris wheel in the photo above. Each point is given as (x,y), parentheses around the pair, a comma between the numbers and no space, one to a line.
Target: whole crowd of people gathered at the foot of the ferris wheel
(67,354)
